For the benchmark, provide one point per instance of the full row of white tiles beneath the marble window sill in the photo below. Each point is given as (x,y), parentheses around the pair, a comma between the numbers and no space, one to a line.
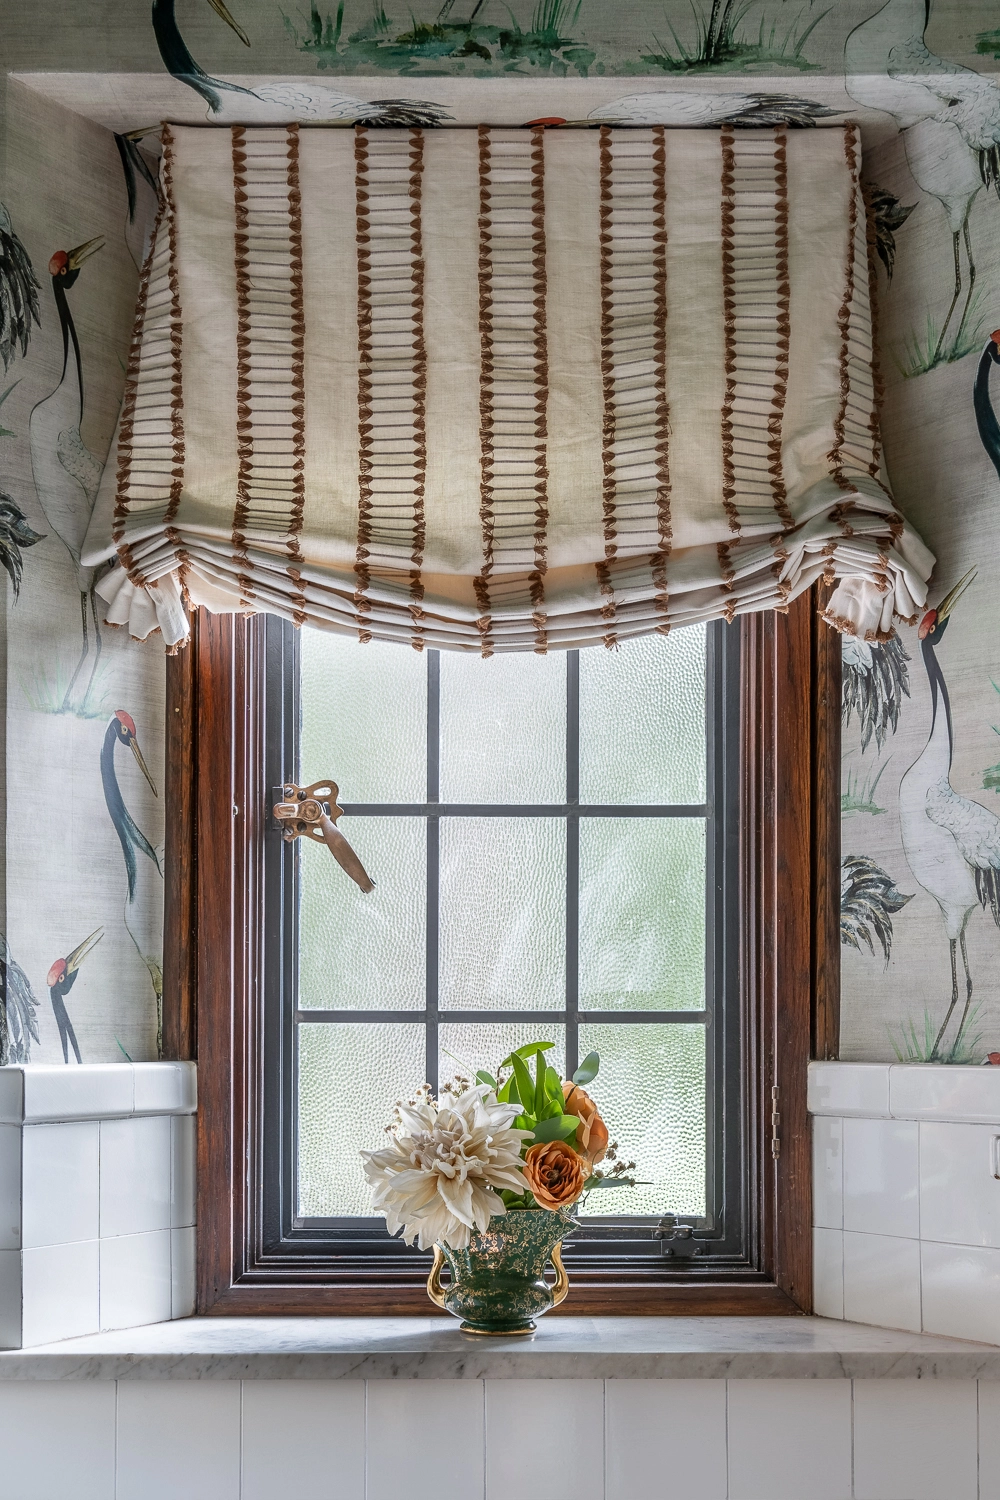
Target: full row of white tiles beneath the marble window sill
(491,1441)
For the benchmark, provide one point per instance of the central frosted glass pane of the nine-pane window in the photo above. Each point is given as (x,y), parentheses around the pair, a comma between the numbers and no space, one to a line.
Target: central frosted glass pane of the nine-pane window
(503,914)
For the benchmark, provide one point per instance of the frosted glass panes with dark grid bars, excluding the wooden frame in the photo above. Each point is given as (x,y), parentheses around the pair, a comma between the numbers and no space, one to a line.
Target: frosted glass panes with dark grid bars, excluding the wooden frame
(549,836)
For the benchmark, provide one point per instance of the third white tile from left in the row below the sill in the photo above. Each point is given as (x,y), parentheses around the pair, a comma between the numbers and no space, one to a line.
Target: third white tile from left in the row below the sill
(313,1430)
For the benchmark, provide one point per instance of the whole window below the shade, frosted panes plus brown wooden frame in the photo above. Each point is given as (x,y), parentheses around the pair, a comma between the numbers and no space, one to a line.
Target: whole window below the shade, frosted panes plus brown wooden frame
(522,884)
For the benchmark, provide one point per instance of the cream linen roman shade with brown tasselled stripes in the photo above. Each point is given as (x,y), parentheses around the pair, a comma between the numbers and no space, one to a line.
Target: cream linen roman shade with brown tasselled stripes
(504,391)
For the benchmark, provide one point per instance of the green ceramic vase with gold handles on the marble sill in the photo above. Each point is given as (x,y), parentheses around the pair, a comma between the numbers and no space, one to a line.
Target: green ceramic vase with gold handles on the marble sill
(499,1283)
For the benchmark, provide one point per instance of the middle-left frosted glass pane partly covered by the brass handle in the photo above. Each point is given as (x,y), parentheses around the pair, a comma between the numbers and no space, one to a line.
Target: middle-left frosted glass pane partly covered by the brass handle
(365,952)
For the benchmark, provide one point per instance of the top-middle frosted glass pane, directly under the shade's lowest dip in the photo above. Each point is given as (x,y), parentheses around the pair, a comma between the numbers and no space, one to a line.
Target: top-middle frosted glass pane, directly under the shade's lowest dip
(503,728)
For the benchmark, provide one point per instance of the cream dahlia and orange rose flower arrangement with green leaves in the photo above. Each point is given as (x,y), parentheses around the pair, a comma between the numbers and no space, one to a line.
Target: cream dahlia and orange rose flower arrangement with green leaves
(522,1139)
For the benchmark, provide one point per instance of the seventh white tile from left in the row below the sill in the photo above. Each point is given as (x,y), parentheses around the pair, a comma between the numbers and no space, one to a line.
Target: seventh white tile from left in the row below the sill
(789,1439)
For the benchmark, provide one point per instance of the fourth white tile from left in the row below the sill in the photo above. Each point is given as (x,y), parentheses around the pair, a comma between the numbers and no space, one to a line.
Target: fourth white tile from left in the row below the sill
(425,1441)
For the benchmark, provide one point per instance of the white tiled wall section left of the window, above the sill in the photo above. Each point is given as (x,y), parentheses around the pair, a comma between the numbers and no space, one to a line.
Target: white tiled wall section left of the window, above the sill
(97,1199)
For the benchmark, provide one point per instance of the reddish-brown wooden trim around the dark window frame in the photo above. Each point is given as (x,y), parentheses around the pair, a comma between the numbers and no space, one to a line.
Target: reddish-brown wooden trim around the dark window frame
(788,937)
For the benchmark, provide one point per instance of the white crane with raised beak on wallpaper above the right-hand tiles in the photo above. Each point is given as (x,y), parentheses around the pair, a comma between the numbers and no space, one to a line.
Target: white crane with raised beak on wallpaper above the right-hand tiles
(951,844)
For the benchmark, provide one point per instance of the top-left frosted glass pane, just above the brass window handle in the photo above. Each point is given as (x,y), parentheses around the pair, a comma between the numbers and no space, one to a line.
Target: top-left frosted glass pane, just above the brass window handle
(364,718)
